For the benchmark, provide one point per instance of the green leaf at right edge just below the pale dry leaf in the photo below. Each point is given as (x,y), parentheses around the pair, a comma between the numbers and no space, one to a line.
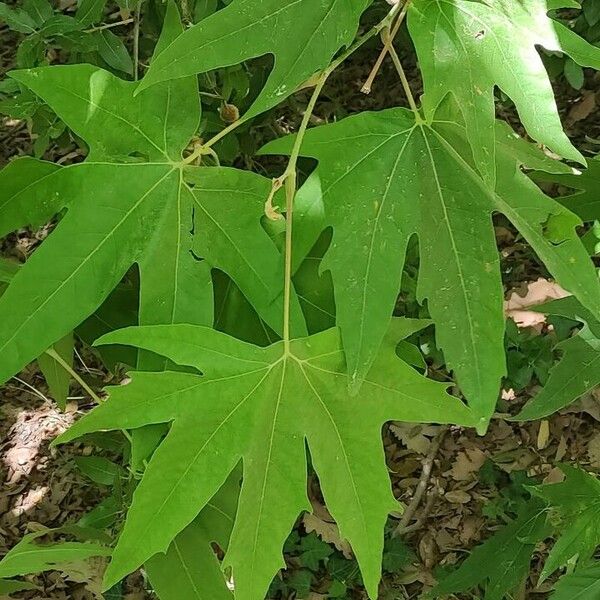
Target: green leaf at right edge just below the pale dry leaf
(578,370)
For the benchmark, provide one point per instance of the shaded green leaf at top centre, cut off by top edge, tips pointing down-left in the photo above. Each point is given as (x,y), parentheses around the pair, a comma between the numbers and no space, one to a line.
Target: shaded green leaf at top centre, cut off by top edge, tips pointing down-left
(302,34)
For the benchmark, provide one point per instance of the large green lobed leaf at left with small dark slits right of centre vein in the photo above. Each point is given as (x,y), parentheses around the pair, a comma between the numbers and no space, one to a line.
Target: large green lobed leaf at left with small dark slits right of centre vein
(149,221)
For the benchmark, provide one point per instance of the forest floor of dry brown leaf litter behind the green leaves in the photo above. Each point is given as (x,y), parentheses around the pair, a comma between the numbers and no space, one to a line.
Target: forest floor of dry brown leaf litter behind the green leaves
(39,485)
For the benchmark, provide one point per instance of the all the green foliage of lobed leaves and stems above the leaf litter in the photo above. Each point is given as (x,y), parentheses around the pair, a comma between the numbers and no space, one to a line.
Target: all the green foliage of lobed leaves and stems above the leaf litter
(258,318)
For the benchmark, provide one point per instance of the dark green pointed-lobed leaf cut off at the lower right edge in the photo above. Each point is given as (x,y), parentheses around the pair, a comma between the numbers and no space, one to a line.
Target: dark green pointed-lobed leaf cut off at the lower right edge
(577,500)
